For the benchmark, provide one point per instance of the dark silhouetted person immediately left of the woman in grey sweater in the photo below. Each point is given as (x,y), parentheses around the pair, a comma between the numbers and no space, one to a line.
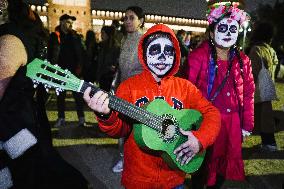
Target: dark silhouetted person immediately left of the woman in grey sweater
(108,55)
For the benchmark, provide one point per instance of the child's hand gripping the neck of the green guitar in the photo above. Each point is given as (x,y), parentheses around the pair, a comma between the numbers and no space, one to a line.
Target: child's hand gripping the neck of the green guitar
(99,102)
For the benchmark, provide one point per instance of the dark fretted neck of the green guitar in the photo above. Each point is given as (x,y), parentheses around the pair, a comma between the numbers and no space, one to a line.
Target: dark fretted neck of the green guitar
(128,109)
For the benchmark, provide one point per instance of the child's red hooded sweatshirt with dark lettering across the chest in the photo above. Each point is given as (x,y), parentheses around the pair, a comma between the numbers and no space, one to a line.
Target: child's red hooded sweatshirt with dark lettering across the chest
(142,169)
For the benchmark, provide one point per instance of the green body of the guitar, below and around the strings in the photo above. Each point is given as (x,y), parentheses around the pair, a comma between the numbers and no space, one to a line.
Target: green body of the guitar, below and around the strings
(186,119)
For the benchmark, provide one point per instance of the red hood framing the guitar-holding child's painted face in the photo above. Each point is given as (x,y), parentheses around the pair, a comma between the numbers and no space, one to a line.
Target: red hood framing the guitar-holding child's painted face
(160,28)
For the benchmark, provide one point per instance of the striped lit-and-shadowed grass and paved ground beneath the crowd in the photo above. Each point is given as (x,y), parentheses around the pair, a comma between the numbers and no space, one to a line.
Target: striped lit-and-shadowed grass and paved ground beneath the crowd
(94,154)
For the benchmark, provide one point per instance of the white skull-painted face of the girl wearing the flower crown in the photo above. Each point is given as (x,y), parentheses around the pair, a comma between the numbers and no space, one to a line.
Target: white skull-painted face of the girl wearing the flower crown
(226,32)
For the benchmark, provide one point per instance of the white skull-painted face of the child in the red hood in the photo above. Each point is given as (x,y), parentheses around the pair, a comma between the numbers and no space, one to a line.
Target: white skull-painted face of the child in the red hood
(160,56)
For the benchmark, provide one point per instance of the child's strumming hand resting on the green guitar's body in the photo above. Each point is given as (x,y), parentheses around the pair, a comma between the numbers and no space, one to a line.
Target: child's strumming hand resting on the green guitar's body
(186,151)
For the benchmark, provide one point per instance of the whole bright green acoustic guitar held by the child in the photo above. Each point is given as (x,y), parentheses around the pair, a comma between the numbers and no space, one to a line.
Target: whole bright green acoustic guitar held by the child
(158,123)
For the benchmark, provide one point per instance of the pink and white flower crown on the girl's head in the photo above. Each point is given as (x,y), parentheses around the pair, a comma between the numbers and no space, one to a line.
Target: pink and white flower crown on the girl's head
(217,12)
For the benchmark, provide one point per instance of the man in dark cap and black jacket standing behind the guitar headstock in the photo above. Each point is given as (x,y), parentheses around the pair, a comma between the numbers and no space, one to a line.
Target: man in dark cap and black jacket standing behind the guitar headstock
(66,50)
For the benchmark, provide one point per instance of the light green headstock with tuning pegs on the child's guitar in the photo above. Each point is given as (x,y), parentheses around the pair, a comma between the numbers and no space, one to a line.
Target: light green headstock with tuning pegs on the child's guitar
(41,71)
